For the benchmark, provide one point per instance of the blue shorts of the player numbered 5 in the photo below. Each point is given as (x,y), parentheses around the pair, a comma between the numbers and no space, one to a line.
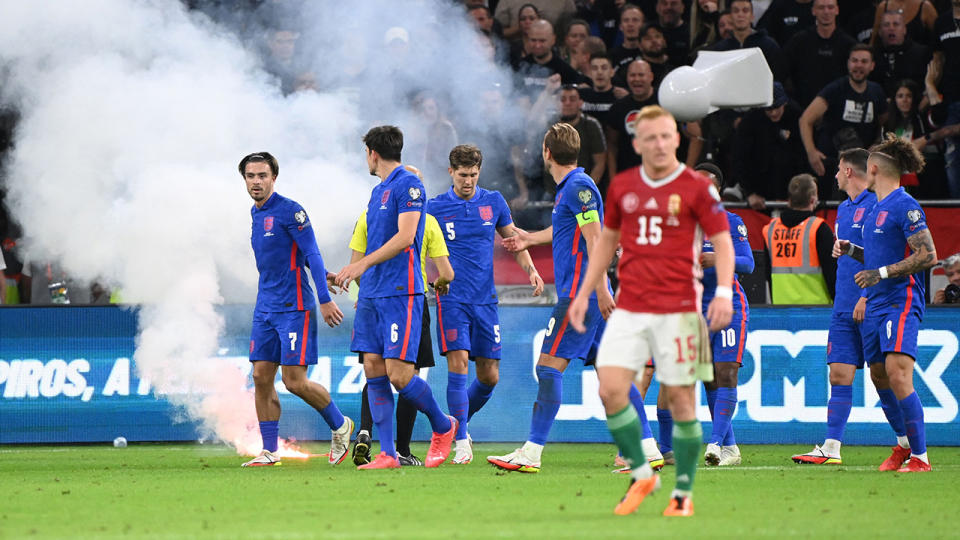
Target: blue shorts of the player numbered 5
(474,328)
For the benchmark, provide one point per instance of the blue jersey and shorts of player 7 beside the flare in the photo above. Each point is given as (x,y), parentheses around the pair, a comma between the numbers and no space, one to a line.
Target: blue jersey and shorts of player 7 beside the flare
(284,321)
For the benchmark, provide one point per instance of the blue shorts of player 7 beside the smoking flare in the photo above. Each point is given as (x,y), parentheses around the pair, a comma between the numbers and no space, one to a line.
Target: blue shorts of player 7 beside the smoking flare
(279,337)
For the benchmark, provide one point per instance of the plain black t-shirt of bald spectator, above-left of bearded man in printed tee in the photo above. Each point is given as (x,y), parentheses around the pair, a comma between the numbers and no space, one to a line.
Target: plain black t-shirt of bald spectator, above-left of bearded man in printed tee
(813,62)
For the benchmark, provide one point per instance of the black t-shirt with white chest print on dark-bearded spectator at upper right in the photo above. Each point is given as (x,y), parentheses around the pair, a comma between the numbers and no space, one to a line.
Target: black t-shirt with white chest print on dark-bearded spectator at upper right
(849,110)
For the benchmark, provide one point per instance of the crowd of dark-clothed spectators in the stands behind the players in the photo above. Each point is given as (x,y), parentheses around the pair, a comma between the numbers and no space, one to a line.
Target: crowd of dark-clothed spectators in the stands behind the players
(845,75)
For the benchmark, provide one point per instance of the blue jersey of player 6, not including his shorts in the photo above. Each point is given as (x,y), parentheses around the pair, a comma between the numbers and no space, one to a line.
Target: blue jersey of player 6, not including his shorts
(401,192)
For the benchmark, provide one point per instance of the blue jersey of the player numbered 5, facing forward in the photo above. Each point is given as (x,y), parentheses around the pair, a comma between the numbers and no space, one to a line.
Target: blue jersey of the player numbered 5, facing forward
(469,228)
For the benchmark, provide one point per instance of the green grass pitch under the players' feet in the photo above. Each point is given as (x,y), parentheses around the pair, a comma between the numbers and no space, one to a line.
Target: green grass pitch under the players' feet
(192,491)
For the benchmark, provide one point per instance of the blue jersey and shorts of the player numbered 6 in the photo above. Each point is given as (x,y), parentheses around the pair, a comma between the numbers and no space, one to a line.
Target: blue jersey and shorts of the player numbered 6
(390,304)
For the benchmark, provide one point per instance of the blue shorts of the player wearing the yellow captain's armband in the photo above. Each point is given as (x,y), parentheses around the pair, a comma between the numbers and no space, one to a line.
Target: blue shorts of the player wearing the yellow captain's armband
(565,342)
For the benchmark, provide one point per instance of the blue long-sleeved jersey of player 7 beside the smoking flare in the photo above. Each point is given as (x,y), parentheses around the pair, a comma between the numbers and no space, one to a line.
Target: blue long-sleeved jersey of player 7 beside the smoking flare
(282,238)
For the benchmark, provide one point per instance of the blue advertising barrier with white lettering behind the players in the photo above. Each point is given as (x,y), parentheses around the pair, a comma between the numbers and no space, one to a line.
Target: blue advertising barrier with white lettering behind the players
(67,375)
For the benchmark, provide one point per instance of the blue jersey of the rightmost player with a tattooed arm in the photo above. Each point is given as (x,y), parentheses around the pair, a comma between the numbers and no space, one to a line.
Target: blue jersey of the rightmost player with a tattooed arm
(894,219)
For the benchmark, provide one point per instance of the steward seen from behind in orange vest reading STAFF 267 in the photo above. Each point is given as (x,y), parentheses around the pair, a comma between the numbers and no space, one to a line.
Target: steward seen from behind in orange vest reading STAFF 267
(799,247)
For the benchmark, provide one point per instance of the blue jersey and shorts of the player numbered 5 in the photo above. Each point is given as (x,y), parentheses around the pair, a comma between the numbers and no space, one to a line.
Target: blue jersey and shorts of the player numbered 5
(467,317)
